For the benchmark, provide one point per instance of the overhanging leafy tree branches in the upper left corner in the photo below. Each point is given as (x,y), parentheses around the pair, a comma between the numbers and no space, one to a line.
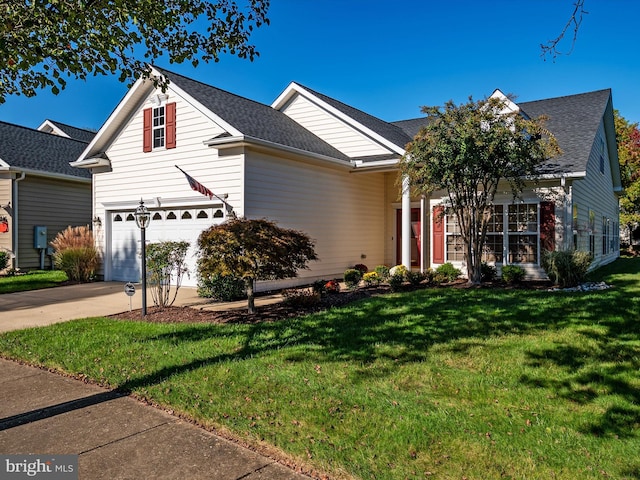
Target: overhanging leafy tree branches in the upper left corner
(42,44)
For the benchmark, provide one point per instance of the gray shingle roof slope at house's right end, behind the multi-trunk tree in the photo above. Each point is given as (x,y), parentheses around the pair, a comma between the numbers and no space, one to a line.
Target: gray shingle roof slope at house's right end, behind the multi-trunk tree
(574,121)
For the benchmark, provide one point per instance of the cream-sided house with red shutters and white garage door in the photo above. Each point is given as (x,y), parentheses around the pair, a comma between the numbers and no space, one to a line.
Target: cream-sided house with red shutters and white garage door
(315,164)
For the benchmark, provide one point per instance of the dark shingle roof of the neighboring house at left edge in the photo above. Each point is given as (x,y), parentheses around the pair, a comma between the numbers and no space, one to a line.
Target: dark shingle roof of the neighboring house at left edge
(26,148)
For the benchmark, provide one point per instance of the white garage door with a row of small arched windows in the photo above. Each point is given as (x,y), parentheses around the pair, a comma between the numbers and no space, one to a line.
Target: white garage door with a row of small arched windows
(166,224)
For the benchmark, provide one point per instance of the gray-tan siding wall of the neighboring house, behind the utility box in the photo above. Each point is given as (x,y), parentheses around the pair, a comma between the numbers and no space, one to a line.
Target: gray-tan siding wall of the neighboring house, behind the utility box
(55,204)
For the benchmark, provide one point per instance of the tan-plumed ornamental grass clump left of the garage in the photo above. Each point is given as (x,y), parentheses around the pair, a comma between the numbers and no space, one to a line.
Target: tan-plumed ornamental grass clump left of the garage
(75,253)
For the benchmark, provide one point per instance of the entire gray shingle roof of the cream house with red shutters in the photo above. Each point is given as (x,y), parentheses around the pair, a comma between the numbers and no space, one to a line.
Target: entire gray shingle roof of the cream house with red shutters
(573,119)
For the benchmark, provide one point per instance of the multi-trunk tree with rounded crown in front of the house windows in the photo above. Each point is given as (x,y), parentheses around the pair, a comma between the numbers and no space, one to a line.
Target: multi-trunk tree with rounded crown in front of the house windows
(466,150)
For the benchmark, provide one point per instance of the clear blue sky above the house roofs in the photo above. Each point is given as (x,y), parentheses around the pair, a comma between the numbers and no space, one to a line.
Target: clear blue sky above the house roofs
(390,58)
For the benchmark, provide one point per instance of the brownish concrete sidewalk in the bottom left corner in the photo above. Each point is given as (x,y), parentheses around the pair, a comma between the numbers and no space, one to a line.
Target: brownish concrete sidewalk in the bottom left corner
(115,436)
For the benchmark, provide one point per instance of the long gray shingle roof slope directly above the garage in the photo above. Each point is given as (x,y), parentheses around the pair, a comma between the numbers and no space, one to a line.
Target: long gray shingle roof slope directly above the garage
(254,119)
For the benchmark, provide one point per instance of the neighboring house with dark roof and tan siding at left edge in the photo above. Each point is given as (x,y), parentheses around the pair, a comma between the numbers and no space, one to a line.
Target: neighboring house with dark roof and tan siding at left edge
(38,188)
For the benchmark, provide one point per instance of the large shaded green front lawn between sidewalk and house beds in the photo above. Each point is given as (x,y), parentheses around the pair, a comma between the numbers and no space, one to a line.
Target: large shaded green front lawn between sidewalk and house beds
(440,383)
